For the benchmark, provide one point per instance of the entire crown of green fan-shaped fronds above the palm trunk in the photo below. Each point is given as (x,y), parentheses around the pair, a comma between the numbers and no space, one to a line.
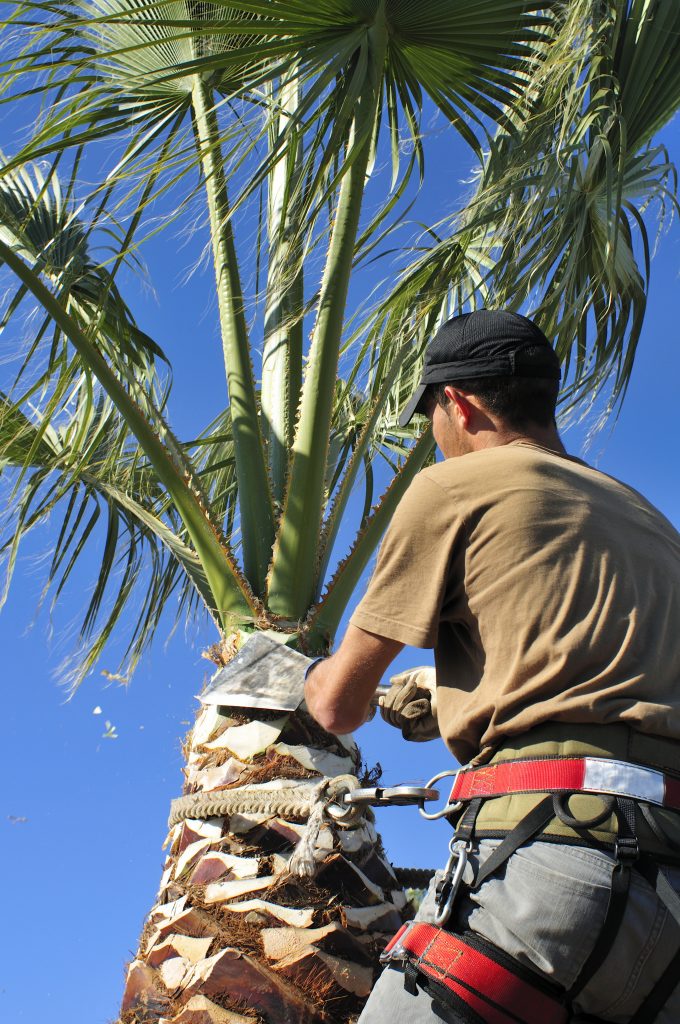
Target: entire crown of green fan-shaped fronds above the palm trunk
(279,113)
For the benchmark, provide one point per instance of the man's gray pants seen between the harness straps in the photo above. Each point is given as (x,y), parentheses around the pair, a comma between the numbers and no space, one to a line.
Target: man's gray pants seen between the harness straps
(546,911)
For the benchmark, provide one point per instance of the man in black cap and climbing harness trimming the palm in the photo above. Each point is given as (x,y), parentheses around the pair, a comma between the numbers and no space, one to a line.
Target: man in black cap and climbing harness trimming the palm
(551,596)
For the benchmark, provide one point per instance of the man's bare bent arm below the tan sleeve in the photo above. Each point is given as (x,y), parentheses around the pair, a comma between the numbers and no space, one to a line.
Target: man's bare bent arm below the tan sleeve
(338,691)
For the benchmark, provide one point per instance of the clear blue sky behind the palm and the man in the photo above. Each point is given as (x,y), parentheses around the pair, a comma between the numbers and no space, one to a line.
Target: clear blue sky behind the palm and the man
(83,817)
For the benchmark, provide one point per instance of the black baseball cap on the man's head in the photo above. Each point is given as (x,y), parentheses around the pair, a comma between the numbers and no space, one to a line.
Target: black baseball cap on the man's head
(484,344)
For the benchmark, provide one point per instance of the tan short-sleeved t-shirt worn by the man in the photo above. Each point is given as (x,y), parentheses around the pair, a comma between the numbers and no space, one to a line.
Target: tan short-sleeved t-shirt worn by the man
(549,591)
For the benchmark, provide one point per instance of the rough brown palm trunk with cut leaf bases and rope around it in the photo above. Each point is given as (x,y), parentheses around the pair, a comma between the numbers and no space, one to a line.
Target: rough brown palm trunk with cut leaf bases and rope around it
(237,932)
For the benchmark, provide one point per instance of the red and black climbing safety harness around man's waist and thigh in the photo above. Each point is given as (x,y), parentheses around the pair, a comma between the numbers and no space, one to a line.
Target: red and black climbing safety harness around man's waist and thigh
(472,976)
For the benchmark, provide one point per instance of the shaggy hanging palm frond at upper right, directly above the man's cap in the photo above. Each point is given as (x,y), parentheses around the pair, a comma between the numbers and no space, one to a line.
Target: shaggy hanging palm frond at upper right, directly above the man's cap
(563,209)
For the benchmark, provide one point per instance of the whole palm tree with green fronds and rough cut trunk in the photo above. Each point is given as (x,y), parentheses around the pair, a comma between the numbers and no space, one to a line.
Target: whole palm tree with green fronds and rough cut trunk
(281,114)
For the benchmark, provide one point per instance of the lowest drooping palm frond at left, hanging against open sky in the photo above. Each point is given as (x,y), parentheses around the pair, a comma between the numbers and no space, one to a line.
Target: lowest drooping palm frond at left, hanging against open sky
(111,508)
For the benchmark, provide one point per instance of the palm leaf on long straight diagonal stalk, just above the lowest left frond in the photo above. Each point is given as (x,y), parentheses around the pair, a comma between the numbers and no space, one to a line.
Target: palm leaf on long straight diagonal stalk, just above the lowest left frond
(80,315)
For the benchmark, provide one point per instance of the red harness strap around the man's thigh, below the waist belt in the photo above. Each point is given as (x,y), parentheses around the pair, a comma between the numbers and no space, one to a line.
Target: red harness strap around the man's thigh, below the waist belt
(496,994)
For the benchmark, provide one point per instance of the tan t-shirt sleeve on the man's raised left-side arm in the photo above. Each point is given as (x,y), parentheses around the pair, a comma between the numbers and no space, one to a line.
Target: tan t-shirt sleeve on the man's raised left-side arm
(408,588)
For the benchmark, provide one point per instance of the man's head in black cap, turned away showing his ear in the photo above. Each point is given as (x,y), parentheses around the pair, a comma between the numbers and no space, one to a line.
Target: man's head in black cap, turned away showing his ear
(489,374)
